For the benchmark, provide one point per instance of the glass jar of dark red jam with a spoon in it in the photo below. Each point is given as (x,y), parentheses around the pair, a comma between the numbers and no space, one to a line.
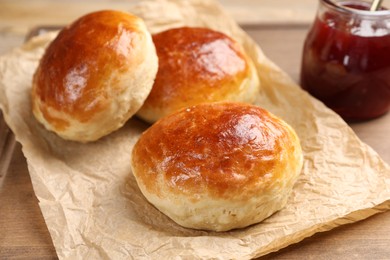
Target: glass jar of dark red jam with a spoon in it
(346,59)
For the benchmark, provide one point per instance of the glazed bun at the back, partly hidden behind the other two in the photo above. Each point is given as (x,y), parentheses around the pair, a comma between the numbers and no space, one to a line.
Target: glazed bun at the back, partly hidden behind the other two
(198,65)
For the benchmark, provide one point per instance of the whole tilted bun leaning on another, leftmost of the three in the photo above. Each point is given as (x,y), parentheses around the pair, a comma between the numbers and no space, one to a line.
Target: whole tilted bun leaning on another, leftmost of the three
(94,75)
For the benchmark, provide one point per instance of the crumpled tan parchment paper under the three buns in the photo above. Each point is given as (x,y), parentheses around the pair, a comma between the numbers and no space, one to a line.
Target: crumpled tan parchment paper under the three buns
(94,209)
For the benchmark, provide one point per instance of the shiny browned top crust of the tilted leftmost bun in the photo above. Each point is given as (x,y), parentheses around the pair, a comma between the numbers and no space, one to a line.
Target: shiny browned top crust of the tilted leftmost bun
(75,73)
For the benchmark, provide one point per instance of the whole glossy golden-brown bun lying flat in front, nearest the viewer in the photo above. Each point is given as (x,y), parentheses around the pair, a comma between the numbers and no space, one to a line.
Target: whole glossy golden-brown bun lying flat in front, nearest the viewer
(217,166)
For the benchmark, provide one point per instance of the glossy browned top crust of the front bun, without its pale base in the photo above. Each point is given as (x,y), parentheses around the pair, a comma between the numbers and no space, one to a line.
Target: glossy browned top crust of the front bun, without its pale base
(221,148)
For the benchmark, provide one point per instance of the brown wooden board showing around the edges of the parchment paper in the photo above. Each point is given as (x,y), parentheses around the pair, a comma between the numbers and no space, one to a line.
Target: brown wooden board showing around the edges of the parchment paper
(23,233)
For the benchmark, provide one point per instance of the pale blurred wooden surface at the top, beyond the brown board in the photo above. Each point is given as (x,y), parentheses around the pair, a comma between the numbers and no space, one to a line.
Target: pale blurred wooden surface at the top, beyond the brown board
(17,17)
